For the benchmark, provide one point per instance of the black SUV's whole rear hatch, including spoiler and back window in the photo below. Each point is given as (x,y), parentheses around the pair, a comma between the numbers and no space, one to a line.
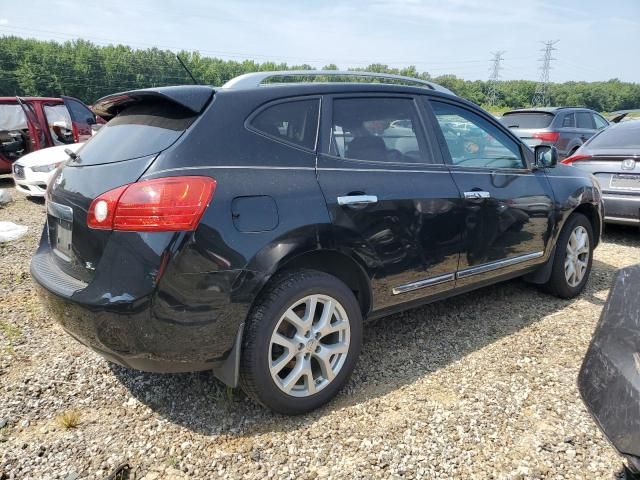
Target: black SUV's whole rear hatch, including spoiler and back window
(143,125)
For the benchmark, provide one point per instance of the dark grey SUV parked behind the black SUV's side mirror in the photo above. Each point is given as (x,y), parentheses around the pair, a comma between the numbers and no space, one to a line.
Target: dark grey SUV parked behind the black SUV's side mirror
(566,128)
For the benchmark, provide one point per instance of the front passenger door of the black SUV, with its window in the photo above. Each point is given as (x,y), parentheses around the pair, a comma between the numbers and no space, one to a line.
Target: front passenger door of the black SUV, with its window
(508,206)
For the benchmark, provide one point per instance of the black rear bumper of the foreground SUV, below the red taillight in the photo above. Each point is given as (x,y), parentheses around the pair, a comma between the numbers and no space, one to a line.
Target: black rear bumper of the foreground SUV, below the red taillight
(182,323)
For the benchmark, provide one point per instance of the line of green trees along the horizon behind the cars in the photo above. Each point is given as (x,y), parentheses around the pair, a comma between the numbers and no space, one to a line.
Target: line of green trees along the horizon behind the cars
(82,69)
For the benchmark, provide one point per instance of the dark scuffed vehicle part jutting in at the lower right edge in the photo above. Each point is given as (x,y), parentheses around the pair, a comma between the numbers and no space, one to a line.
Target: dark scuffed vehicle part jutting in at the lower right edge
(609,380)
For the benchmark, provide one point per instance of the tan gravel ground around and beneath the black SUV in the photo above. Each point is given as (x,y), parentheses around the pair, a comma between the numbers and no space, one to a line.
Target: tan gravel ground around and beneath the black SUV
(481,386)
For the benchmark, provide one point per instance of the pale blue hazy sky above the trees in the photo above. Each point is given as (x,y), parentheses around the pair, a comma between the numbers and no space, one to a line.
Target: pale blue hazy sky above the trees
(597,40)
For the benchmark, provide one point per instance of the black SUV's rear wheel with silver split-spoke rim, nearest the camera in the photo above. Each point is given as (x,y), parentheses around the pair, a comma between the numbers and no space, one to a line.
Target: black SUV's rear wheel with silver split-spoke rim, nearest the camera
(301,342)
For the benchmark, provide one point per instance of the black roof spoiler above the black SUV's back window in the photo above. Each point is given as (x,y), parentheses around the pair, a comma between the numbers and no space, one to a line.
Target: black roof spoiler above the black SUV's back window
(193,97)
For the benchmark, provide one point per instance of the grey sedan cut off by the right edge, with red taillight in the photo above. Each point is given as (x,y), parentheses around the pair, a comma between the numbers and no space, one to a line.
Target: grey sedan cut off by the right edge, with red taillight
(613,156)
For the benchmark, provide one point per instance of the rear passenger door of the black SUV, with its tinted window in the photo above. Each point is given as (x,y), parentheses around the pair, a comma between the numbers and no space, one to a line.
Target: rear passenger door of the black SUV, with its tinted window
(390,197)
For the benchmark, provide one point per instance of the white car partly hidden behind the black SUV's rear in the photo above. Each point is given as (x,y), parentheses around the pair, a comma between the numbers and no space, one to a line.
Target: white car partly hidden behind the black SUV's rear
(32,172)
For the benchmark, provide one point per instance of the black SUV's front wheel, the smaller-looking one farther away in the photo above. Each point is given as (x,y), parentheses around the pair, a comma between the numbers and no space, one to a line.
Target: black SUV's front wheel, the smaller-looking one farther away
(573,258)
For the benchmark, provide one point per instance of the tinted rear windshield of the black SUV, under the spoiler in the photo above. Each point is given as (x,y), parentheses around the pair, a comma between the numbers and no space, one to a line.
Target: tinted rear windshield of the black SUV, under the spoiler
(140,130)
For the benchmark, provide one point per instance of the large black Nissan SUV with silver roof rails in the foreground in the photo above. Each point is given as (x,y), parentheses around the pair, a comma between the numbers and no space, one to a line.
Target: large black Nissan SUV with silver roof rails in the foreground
(250,229)
